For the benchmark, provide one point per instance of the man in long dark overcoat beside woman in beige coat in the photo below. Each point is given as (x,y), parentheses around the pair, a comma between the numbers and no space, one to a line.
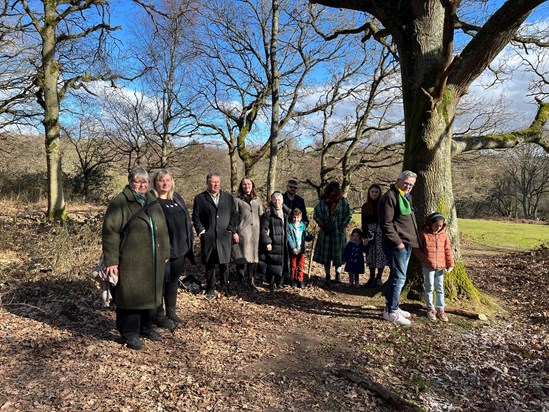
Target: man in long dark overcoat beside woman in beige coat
(215,220)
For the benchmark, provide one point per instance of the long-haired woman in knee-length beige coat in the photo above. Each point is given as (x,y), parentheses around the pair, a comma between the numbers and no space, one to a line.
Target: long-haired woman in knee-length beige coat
(245,250)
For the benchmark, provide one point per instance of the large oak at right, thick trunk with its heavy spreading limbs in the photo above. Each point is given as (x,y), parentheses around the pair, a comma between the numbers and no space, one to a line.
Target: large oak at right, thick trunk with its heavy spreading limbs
(432,85)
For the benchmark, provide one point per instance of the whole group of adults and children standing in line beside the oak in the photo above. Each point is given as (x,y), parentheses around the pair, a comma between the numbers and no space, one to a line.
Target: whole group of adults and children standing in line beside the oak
(148,238)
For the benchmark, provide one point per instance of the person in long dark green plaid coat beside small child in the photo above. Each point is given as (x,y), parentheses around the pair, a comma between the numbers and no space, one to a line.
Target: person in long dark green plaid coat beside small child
(332,214)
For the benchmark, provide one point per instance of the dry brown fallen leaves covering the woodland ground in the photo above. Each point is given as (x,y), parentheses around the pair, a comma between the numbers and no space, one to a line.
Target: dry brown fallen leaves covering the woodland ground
(292,350)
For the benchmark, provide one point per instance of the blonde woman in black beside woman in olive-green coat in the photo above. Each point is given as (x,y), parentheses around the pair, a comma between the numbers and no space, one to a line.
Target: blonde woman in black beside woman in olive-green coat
(181,245)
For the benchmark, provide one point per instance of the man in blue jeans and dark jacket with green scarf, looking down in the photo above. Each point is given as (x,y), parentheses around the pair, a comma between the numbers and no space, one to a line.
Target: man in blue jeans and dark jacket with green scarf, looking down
(399,236)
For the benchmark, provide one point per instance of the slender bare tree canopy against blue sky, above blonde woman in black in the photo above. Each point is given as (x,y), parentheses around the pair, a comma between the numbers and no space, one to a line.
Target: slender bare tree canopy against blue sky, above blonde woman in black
(163,46)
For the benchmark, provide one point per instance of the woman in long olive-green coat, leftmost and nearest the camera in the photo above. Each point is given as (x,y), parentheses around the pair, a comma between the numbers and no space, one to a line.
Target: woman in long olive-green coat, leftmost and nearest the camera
(135,248)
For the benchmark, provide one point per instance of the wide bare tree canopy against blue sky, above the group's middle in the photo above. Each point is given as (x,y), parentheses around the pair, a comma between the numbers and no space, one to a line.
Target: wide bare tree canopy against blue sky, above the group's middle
(244,71)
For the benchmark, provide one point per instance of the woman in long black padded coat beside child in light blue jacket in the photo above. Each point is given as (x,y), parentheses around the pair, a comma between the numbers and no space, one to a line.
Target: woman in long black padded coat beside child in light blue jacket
(274,241)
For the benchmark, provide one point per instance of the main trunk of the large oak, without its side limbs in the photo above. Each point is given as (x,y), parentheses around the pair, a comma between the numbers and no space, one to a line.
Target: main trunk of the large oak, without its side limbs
(428,148)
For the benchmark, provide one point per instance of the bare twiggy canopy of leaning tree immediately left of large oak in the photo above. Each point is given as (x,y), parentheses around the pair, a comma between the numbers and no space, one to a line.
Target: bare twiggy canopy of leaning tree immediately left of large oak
(364,136)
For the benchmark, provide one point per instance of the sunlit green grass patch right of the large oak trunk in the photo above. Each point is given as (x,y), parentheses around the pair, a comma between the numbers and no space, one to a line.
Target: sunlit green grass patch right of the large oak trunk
(492,233)
